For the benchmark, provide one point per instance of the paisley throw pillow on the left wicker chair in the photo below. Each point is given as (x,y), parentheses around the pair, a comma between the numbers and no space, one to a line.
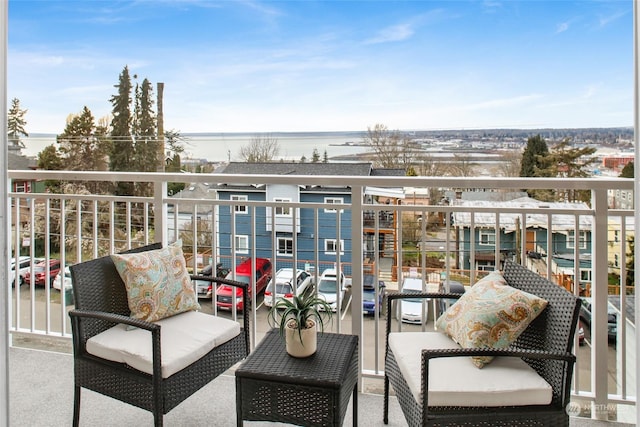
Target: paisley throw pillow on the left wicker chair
(158,283)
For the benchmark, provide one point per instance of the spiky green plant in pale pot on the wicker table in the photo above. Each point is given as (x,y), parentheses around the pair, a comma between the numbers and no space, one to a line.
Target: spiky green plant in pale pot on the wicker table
(298,320)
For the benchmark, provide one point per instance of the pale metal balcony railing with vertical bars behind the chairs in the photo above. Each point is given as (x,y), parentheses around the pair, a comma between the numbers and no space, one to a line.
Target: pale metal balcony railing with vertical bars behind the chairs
(585,249)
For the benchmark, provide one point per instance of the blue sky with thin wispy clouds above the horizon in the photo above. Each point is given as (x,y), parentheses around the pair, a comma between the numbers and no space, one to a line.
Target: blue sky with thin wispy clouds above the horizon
(266,66)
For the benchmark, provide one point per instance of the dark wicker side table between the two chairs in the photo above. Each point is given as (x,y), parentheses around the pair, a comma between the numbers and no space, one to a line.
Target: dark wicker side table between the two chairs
(315,391)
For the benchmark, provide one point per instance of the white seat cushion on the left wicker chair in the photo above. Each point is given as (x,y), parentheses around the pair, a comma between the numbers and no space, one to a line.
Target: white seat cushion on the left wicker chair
(184,338)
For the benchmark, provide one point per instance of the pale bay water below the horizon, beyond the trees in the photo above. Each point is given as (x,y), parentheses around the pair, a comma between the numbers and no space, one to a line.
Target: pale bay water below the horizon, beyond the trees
(222,147)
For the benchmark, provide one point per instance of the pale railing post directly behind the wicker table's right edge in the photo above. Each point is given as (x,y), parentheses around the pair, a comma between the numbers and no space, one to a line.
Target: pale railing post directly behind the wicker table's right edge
(357,199)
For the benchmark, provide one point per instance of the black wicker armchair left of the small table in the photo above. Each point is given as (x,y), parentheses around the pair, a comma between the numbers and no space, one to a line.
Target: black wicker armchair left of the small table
(101,303)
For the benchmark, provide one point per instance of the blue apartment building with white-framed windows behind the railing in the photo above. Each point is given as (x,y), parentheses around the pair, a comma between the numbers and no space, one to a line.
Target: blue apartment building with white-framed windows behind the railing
(277,232)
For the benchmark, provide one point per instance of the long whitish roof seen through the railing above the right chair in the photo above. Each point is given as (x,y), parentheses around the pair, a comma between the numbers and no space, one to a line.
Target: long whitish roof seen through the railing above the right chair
(509,221)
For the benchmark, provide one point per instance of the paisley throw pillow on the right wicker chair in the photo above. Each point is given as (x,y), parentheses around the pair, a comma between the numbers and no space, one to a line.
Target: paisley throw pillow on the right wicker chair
(491,314)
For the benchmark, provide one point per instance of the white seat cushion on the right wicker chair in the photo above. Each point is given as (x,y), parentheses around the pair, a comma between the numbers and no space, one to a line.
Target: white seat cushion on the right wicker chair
(456,381)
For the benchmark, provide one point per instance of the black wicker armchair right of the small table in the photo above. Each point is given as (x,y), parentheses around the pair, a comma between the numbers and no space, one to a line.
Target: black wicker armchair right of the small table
(546,345)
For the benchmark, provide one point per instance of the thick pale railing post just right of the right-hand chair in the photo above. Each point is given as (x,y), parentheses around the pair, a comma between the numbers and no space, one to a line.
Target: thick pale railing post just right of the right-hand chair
(600,301)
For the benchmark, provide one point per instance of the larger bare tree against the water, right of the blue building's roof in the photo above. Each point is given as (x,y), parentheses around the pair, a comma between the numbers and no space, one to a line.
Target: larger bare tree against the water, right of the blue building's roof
(391,149)
